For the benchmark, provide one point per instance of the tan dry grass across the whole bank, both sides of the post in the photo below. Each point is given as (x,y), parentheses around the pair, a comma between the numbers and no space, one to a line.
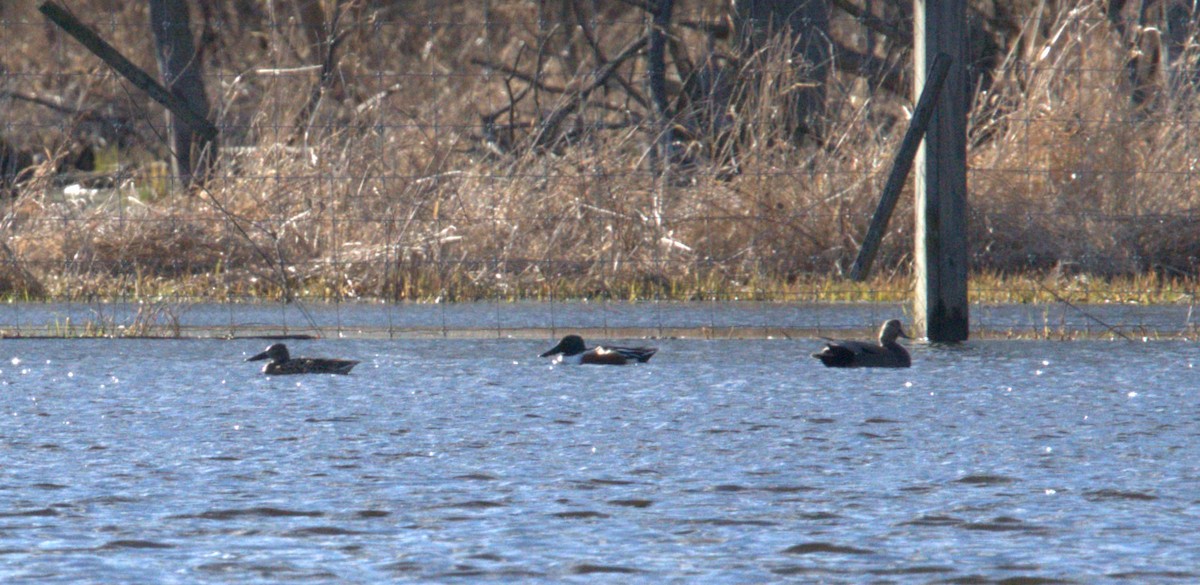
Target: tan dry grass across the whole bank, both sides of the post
(392,192)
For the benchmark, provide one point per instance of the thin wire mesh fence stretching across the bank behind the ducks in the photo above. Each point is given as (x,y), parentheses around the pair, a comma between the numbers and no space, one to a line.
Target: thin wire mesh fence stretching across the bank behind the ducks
(500,152)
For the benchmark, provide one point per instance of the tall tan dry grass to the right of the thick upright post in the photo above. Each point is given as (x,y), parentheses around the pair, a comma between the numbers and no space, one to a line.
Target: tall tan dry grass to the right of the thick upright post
(1078,174)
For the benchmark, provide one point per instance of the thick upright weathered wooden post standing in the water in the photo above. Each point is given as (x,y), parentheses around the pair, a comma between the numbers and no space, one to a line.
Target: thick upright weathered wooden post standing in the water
(941,179)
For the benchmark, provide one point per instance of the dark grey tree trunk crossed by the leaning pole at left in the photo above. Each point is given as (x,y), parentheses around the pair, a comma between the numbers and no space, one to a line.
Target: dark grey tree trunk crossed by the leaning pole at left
(182,75)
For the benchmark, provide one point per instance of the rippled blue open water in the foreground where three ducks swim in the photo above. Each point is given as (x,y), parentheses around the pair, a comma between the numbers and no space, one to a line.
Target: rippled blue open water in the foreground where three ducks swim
(718,462)
